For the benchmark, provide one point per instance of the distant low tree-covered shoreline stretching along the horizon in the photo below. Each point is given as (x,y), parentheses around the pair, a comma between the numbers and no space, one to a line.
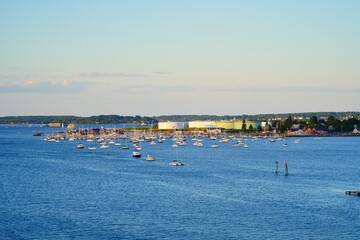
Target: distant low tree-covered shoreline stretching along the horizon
(116,119)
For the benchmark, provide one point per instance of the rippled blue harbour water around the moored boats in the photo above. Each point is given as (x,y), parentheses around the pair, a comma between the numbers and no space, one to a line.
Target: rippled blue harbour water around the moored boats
(53,190)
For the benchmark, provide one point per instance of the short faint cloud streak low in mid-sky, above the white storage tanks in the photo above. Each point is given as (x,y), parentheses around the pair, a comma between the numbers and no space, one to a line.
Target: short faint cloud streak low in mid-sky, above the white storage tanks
(144,89)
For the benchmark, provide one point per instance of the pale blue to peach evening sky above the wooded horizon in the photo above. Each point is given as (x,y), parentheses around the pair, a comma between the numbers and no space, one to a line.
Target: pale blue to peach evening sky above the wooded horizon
(162,57)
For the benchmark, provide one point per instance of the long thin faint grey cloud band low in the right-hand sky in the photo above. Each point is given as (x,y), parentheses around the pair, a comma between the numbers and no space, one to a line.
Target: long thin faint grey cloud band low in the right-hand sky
(288,89)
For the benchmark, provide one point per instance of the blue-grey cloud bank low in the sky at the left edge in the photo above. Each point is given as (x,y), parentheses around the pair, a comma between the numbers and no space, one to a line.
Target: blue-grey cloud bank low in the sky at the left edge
(32,86)
